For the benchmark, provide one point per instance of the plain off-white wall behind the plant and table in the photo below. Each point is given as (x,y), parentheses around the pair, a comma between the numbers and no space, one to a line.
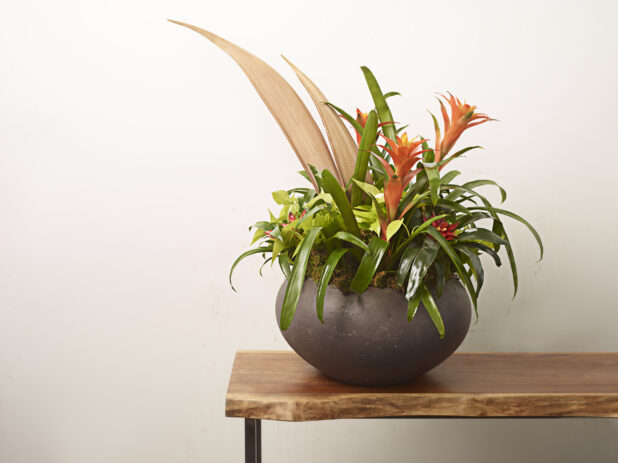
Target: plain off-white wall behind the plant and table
(134,154)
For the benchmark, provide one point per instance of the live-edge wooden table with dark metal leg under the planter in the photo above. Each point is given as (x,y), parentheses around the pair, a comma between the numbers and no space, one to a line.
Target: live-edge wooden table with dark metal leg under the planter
(279,385)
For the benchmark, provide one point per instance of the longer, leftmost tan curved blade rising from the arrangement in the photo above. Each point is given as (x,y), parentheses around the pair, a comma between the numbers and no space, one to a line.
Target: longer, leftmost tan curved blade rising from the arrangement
(284,104)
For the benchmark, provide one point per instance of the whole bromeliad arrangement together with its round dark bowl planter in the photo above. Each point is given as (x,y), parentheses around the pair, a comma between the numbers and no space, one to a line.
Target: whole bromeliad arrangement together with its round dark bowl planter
(381,251)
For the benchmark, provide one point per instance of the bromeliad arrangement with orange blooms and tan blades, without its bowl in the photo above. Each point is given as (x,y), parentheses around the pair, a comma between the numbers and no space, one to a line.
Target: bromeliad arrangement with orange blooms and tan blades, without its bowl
(381,211)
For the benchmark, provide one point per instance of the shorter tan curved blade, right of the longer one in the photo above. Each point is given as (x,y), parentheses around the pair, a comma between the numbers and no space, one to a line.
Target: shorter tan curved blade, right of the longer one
(343,146)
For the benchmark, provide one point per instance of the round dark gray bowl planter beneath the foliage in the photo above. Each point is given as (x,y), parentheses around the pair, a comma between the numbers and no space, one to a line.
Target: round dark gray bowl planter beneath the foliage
(367,340)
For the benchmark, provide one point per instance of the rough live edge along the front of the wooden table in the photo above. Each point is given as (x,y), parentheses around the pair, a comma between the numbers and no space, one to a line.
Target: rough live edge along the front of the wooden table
(317,407)
